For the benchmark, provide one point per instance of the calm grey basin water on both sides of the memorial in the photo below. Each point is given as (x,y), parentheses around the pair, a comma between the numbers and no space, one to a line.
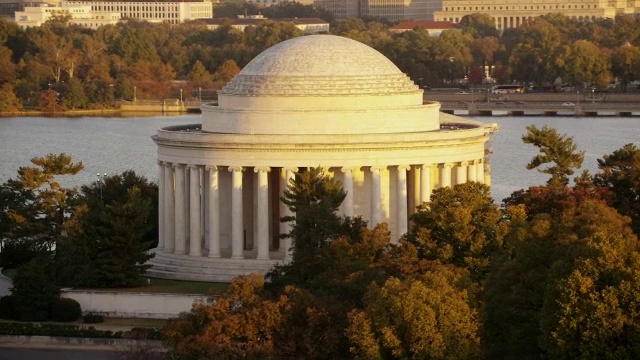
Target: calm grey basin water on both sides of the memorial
(112,145)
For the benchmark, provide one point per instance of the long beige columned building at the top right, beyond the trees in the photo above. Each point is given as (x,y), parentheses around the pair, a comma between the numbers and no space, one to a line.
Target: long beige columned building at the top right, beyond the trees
(513,13)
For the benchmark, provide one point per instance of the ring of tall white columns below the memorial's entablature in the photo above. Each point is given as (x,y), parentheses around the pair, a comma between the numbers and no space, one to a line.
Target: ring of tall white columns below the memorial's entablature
(203,208)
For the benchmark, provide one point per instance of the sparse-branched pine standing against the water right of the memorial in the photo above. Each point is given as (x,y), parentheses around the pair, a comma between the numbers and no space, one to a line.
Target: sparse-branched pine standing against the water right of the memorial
(554,148)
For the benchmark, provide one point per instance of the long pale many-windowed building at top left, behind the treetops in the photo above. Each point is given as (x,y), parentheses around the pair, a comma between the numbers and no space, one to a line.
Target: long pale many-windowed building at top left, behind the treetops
(167,12)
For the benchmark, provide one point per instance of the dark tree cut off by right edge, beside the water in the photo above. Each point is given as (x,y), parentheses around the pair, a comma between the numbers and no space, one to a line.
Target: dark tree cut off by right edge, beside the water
(620,173)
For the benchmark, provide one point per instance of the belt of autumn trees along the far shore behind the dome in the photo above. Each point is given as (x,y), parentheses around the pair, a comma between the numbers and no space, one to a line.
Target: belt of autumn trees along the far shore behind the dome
(60,66)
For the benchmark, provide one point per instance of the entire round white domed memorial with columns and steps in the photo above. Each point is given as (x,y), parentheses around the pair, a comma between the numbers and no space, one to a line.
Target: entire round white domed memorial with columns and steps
(317,100)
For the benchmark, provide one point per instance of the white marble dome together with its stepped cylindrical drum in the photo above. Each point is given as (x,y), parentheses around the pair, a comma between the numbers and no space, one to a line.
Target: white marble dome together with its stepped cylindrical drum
(320,84)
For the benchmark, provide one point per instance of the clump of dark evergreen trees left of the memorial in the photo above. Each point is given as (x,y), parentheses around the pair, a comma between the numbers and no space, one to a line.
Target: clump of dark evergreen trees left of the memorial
(98,236)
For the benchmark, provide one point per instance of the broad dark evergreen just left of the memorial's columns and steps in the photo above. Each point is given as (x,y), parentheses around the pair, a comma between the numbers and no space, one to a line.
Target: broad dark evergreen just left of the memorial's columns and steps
(109,235)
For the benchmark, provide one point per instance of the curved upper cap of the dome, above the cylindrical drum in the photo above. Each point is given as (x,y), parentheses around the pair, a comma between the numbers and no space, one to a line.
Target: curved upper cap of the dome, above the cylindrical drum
(320,65)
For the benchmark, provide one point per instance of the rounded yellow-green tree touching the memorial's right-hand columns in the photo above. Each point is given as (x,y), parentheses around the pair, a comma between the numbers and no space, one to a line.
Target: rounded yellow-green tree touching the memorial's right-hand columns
(461,226)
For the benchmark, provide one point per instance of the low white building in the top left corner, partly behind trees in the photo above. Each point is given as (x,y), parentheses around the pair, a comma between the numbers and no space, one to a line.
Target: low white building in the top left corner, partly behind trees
(80,15)
